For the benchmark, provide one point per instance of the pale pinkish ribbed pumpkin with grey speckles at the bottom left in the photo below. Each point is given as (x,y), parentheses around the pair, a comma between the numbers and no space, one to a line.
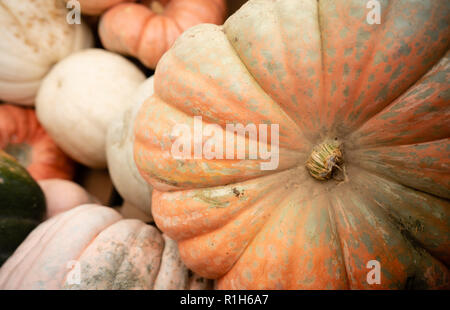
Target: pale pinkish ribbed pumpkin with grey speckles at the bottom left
(93,247)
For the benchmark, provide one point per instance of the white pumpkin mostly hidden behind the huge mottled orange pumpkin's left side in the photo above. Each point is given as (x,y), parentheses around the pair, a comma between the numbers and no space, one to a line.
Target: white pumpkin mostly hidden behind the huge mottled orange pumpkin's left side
(119,151)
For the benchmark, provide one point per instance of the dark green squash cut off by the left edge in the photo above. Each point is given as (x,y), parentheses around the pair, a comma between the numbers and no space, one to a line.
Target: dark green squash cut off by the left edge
(22,205)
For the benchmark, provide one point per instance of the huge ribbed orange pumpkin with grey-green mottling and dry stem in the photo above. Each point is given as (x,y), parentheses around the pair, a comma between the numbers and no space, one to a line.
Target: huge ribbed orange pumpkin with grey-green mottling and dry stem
(364,149)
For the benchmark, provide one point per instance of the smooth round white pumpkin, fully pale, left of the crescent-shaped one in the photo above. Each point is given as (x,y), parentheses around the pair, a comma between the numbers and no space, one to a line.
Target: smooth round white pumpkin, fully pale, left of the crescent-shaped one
(79,98)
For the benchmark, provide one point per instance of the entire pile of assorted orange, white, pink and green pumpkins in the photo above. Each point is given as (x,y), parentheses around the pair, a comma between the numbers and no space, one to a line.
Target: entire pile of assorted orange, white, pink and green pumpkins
(377,94)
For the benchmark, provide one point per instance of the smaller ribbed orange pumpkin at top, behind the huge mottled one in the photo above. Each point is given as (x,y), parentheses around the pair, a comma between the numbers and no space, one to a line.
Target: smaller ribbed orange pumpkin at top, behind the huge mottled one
(148,30)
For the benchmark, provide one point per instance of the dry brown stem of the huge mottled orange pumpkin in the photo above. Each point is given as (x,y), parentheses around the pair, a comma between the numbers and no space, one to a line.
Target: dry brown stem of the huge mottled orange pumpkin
(324,159)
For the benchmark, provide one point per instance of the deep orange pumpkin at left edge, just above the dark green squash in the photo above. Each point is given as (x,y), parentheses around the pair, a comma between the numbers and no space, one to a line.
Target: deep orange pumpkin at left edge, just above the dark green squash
(23,137)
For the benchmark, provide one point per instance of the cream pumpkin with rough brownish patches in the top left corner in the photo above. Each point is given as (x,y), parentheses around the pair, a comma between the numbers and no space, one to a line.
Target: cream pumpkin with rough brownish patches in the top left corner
(34,36)
